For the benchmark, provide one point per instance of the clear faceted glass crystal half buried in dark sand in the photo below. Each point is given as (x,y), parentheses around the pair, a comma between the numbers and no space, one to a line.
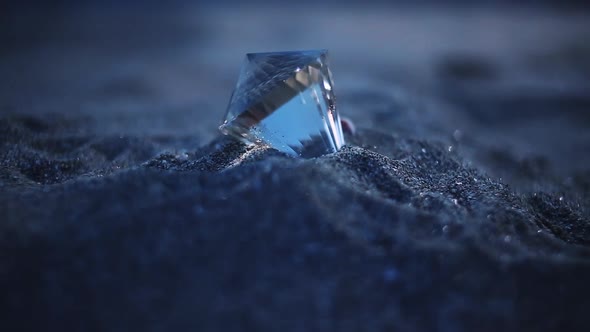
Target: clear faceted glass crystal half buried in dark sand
(285,100)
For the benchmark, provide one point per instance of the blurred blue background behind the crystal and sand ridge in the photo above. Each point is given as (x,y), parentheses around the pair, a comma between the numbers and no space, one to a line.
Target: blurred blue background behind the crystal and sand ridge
(510,80)
